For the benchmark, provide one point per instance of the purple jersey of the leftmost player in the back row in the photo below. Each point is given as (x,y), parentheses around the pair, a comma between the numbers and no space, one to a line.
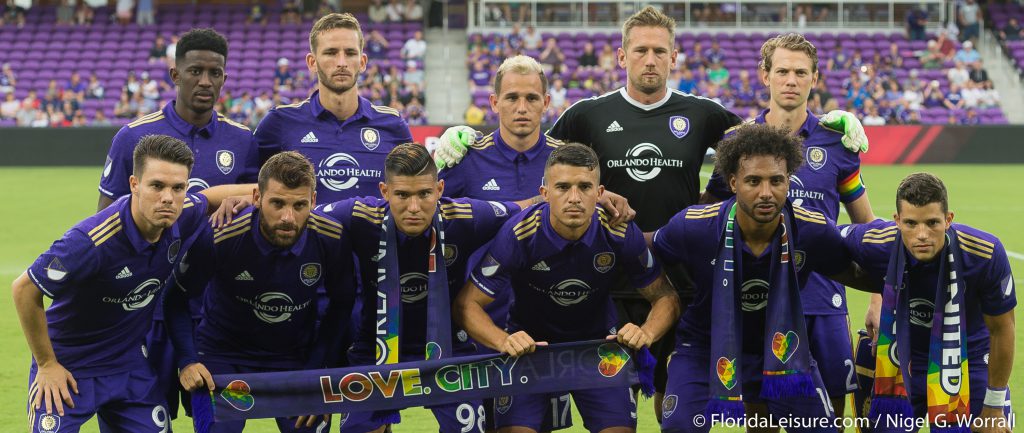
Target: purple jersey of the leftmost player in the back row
(223,149)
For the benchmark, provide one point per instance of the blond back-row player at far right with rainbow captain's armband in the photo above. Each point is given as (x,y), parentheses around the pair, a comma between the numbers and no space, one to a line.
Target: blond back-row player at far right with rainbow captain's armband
(831,176)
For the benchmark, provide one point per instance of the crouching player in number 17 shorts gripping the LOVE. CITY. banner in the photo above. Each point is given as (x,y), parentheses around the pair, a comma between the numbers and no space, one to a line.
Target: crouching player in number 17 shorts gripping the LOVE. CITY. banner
(561,258)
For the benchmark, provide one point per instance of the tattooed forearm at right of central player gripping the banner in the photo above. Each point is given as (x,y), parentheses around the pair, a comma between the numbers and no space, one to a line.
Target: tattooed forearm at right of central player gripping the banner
(664,314)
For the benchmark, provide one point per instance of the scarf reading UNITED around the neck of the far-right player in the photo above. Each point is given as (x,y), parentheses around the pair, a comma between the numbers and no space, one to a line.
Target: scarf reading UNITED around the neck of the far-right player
(949,383)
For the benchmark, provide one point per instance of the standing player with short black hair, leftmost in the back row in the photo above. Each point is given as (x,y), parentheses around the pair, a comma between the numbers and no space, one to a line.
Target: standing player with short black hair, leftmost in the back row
(223,148)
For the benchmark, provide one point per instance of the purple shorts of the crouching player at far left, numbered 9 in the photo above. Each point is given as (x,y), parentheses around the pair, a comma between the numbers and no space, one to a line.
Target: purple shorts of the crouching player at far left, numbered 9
(125,402)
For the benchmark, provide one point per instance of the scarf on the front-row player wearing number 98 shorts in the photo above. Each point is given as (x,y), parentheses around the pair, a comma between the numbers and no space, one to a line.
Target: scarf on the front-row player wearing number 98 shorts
(390,294)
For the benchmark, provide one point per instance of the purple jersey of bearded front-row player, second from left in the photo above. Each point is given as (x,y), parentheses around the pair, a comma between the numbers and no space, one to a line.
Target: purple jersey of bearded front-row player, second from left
(260,306)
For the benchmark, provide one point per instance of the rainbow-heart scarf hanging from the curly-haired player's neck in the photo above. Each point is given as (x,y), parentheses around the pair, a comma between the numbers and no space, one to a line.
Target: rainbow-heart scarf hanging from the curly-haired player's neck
(787,362)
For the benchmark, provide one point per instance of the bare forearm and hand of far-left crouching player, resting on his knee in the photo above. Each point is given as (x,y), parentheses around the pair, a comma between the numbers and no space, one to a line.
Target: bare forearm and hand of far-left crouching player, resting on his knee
(55,383)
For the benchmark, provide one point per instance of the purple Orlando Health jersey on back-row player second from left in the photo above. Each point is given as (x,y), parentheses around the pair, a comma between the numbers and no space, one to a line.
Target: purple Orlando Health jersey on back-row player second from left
(349,155)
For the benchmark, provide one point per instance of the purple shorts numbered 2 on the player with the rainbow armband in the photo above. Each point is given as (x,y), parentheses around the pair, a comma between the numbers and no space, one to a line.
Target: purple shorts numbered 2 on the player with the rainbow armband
(833,351)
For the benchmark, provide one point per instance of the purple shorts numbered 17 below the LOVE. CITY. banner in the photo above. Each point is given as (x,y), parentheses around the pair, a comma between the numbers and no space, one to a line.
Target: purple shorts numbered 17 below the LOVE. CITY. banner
(601,409)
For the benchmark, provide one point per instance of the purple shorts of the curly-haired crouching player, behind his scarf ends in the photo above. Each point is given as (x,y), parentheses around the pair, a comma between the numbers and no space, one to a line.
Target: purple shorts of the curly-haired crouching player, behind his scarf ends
(688,394)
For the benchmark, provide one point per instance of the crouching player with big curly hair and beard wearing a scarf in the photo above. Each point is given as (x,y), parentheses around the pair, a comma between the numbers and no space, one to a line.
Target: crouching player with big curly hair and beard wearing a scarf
(756,348)
